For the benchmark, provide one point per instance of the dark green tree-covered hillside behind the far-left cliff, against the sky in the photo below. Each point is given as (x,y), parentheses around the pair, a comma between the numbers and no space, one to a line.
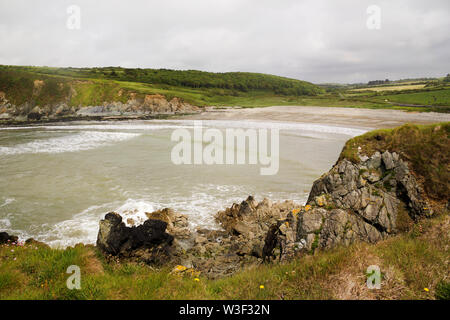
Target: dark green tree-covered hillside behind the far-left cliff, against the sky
(178,82)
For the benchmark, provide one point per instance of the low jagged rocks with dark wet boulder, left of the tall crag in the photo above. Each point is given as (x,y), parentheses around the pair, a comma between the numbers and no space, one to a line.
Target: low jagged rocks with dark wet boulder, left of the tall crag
(166,237)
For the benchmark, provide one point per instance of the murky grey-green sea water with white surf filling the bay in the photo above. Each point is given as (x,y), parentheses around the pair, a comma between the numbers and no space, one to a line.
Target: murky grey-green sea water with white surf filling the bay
(58,181)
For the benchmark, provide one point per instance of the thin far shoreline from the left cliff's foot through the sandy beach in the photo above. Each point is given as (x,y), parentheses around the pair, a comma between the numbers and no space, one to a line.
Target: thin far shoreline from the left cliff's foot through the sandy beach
(349,117)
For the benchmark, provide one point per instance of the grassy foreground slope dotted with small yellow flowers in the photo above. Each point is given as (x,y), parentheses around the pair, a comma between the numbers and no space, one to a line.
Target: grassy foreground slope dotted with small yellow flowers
(414,265)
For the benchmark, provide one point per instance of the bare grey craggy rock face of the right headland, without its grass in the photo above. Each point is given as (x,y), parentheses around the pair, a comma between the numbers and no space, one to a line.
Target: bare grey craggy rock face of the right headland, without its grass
(365,201)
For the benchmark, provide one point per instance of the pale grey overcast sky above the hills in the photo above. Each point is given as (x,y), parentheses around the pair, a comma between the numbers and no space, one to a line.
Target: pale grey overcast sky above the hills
(318,41)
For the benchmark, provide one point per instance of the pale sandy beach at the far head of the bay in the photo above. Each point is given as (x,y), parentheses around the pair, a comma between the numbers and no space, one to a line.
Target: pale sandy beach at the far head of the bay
(351,117)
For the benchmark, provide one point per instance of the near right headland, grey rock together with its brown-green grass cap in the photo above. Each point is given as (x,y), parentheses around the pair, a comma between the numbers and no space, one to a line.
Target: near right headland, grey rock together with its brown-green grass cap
(383,182)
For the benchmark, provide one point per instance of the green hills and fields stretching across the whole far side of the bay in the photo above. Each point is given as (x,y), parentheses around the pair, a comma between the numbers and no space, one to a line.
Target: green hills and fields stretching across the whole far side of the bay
(93,86)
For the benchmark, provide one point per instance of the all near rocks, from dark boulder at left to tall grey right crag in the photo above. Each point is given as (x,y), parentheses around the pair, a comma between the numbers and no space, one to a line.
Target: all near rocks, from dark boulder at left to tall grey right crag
(364,201)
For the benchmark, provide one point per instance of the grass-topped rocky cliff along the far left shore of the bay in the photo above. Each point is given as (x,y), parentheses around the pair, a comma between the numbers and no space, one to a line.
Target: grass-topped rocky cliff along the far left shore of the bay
(49,100)
